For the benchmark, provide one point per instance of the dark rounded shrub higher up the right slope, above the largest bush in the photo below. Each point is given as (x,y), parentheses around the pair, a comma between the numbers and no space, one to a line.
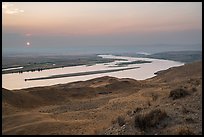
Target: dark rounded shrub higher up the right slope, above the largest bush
(178,93)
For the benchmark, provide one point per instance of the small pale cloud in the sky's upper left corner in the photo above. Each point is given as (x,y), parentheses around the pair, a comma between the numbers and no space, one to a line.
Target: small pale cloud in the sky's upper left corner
(9,8)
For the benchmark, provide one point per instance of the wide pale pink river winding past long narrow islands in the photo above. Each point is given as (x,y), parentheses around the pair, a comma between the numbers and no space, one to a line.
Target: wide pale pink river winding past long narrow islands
(146,70)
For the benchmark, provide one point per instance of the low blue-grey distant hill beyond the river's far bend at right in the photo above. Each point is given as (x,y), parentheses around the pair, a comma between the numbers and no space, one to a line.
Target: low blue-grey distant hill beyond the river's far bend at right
(181,56)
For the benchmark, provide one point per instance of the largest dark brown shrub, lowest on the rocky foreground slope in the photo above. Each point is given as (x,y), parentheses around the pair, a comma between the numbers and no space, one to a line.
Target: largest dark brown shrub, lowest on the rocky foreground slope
(151,119)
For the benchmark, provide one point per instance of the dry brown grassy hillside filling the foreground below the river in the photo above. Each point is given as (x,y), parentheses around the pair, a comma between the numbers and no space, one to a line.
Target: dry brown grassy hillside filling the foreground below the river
(169,103)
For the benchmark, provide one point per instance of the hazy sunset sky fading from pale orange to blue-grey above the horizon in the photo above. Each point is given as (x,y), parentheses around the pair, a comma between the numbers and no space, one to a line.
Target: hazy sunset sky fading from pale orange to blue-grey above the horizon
(99,27)
